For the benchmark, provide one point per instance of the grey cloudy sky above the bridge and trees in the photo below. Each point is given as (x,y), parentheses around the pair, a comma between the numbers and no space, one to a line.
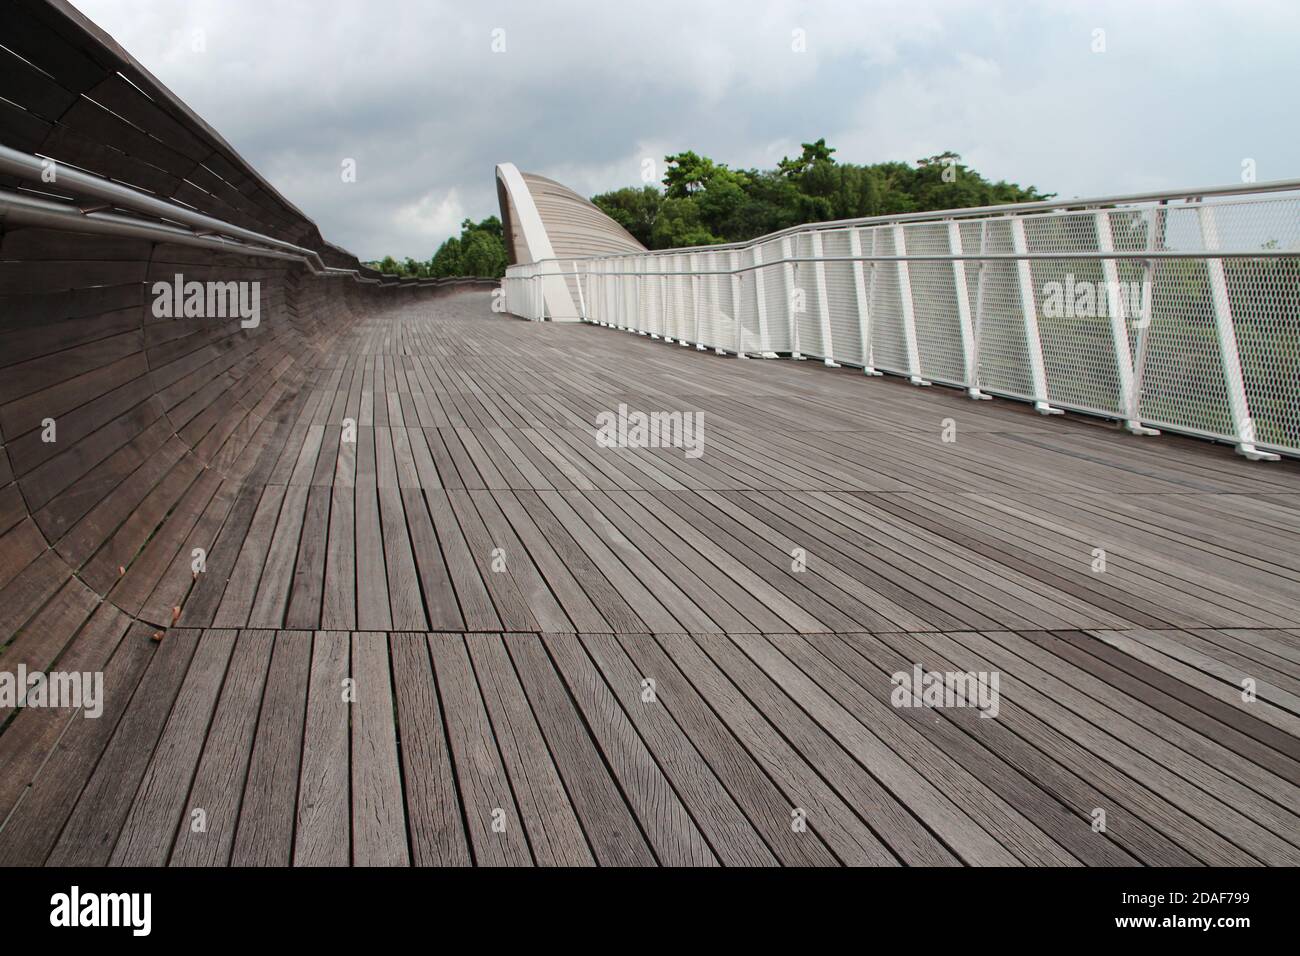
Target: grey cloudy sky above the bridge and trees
(415,93)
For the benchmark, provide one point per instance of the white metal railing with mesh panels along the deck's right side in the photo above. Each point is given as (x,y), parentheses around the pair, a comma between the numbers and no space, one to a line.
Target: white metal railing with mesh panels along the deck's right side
(1177,312)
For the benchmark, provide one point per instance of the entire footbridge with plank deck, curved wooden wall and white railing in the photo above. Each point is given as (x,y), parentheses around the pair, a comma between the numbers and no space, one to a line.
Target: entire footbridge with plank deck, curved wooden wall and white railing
(647,604)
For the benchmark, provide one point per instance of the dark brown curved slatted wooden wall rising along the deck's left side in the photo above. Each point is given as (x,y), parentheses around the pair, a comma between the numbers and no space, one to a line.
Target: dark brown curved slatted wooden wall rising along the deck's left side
(158,422)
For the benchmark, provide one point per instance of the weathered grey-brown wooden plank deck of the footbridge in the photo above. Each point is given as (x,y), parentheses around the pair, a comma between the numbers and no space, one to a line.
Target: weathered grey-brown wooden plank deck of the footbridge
(434,646)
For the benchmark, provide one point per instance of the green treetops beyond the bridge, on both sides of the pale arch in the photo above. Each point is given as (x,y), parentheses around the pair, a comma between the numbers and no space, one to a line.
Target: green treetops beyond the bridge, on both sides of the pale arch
(704,202)
